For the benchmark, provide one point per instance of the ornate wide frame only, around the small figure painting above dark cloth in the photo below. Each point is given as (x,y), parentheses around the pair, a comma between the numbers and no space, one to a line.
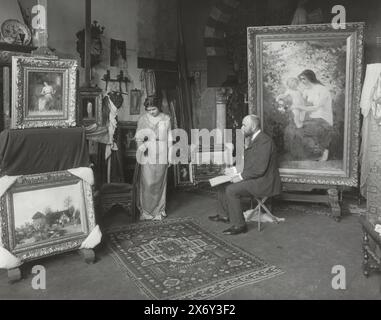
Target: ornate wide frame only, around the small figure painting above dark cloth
(21,67)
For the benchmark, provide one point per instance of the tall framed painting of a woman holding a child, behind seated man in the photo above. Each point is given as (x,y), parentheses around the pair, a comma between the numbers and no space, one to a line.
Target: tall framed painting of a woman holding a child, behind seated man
(304,82)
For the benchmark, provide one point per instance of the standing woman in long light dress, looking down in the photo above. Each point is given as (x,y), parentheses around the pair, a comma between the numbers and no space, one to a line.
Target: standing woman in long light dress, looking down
(152,135)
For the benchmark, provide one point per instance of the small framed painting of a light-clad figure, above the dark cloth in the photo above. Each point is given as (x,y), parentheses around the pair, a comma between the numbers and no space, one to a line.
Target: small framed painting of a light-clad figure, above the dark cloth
(43,92)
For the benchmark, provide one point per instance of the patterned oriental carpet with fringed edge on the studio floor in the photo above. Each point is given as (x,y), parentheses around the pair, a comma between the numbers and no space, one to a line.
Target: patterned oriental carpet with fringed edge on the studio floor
(177,259)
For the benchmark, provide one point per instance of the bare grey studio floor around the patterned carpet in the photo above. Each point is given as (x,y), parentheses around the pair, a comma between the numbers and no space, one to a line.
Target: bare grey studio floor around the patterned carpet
(306,246)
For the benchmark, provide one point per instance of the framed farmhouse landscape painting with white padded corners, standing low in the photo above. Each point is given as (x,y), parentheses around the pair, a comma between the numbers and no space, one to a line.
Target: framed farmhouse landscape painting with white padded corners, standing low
(45,214)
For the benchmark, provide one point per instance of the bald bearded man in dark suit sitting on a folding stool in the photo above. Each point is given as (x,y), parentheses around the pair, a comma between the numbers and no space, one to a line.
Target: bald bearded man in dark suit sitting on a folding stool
(259,178)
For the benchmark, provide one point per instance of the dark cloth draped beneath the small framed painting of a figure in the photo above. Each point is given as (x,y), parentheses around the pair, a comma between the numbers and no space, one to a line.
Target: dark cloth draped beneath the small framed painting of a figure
(41,150)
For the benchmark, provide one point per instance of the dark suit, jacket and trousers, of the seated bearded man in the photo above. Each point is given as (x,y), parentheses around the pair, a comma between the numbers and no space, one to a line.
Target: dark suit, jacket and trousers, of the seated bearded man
(260,179)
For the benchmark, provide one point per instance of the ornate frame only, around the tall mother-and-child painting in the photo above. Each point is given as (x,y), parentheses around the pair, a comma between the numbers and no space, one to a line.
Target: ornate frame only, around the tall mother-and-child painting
(354,36)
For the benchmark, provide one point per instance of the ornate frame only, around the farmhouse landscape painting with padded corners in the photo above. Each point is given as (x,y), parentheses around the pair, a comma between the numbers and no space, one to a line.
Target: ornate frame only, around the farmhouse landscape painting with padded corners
(47,247)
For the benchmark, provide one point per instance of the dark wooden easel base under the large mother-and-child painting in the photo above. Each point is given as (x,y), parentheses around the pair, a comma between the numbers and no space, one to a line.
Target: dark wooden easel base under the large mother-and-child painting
(302,193)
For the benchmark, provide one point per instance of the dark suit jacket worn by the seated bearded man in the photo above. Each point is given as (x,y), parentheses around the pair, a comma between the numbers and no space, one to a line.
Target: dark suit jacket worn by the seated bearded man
(261,167)
